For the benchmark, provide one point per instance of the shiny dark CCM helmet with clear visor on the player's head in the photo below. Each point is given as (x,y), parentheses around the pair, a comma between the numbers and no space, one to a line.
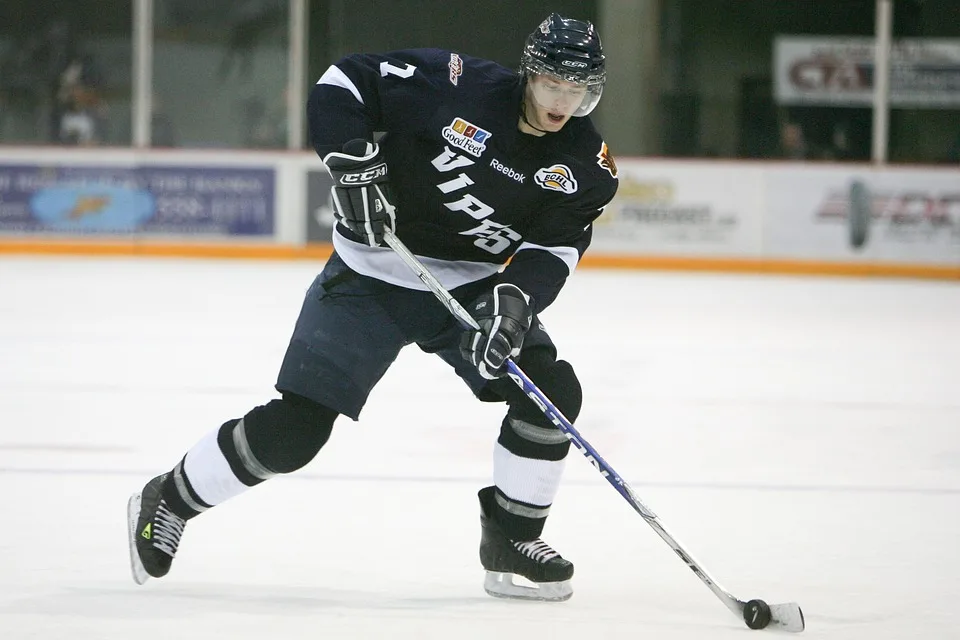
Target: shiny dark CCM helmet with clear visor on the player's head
(570,50)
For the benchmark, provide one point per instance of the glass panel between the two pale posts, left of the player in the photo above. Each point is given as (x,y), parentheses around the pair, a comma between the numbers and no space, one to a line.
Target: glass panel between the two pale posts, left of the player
(220,73)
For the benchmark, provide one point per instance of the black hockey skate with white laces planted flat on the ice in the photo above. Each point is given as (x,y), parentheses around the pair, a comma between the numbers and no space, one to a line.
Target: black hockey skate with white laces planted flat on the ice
(534,560)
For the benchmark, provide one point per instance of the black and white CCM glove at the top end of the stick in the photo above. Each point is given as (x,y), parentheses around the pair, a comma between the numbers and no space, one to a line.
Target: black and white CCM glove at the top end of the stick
(361,194)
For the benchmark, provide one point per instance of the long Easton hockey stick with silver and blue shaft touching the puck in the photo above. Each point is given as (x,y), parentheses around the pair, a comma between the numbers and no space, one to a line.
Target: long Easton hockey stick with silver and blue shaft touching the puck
(757,614)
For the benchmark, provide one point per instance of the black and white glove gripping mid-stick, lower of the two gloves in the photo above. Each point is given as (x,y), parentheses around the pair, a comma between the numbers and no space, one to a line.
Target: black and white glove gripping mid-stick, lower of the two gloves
(504,316)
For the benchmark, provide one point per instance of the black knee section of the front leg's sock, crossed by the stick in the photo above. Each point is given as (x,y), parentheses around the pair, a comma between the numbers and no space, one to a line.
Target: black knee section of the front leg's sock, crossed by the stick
(526,431)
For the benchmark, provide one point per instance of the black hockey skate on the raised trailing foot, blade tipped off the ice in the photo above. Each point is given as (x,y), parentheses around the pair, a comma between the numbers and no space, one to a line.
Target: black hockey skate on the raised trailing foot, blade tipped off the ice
(154,532)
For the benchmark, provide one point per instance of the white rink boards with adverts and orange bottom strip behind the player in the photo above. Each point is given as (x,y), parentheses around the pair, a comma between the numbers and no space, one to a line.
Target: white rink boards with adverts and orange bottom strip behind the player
(778,217)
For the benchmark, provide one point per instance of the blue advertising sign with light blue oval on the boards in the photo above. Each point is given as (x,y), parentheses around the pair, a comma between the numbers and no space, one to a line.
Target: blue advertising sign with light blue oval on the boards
(144,199)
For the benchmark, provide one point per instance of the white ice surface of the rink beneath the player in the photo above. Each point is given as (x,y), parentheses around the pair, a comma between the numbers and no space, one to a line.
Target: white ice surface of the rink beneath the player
(800,436)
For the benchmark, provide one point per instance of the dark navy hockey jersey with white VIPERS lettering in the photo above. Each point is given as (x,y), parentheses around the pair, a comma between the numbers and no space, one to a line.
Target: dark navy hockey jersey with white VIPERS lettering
(471,191)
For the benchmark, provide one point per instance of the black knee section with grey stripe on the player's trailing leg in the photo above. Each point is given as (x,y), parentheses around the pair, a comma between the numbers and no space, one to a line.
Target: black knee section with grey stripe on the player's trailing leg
(280,436)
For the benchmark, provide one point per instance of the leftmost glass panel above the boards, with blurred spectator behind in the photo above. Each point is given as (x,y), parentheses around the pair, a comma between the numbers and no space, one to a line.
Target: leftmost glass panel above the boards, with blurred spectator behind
(65,72)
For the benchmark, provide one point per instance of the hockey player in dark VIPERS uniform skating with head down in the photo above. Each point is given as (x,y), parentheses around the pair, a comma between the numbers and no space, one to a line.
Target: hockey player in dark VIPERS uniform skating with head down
(493,178)
